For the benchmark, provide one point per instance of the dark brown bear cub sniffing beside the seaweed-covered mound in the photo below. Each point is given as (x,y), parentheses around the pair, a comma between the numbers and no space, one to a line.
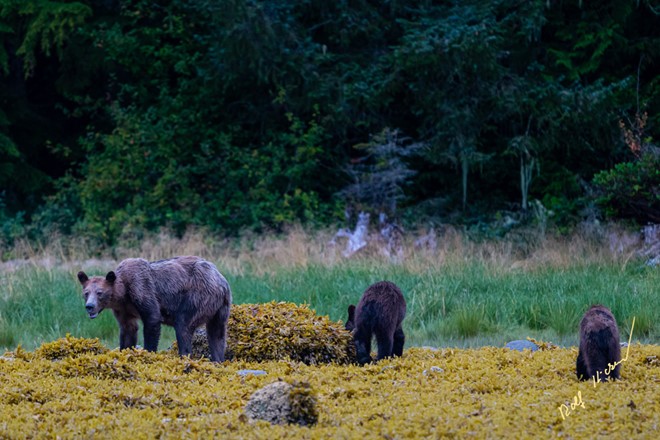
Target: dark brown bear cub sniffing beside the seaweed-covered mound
(379,312)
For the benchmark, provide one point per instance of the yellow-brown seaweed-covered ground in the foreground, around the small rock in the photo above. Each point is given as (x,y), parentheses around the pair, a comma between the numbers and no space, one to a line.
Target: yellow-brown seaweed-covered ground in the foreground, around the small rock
(76,388)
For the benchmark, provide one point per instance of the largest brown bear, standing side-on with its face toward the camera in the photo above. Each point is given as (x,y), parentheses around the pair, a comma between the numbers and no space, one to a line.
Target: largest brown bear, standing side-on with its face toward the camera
(183,292)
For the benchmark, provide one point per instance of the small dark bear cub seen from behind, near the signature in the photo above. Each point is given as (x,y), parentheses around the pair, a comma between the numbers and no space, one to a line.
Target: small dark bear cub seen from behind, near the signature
(599,355)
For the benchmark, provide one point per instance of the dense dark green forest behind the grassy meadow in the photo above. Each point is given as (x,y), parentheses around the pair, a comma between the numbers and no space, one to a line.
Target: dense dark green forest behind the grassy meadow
(119,115)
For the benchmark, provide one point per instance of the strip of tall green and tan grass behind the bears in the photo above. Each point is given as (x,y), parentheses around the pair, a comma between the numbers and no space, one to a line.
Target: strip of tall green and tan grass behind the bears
(462,293)
